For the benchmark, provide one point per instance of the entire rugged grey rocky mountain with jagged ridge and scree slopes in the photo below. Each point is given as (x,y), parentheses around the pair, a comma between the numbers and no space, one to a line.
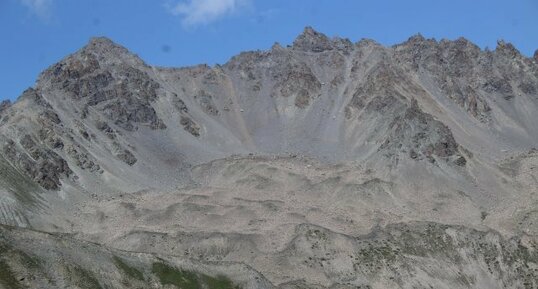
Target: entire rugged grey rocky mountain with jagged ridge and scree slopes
(323,164)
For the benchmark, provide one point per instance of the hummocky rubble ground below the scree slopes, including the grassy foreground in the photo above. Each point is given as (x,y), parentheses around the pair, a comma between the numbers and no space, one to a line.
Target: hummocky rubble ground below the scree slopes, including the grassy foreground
(263,223)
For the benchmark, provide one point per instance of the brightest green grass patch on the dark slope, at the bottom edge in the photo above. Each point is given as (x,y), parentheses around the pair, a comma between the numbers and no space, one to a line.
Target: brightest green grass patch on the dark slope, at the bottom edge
(169,275)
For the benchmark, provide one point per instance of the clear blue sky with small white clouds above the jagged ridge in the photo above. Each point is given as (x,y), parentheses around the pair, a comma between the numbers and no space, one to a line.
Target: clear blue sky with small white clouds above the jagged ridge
(38,33)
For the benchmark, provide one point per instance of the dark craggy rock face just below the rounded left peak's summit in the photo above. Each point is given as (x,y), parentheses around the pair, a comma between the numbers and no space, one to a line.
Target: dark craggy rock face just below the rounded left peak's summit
(124,97)
